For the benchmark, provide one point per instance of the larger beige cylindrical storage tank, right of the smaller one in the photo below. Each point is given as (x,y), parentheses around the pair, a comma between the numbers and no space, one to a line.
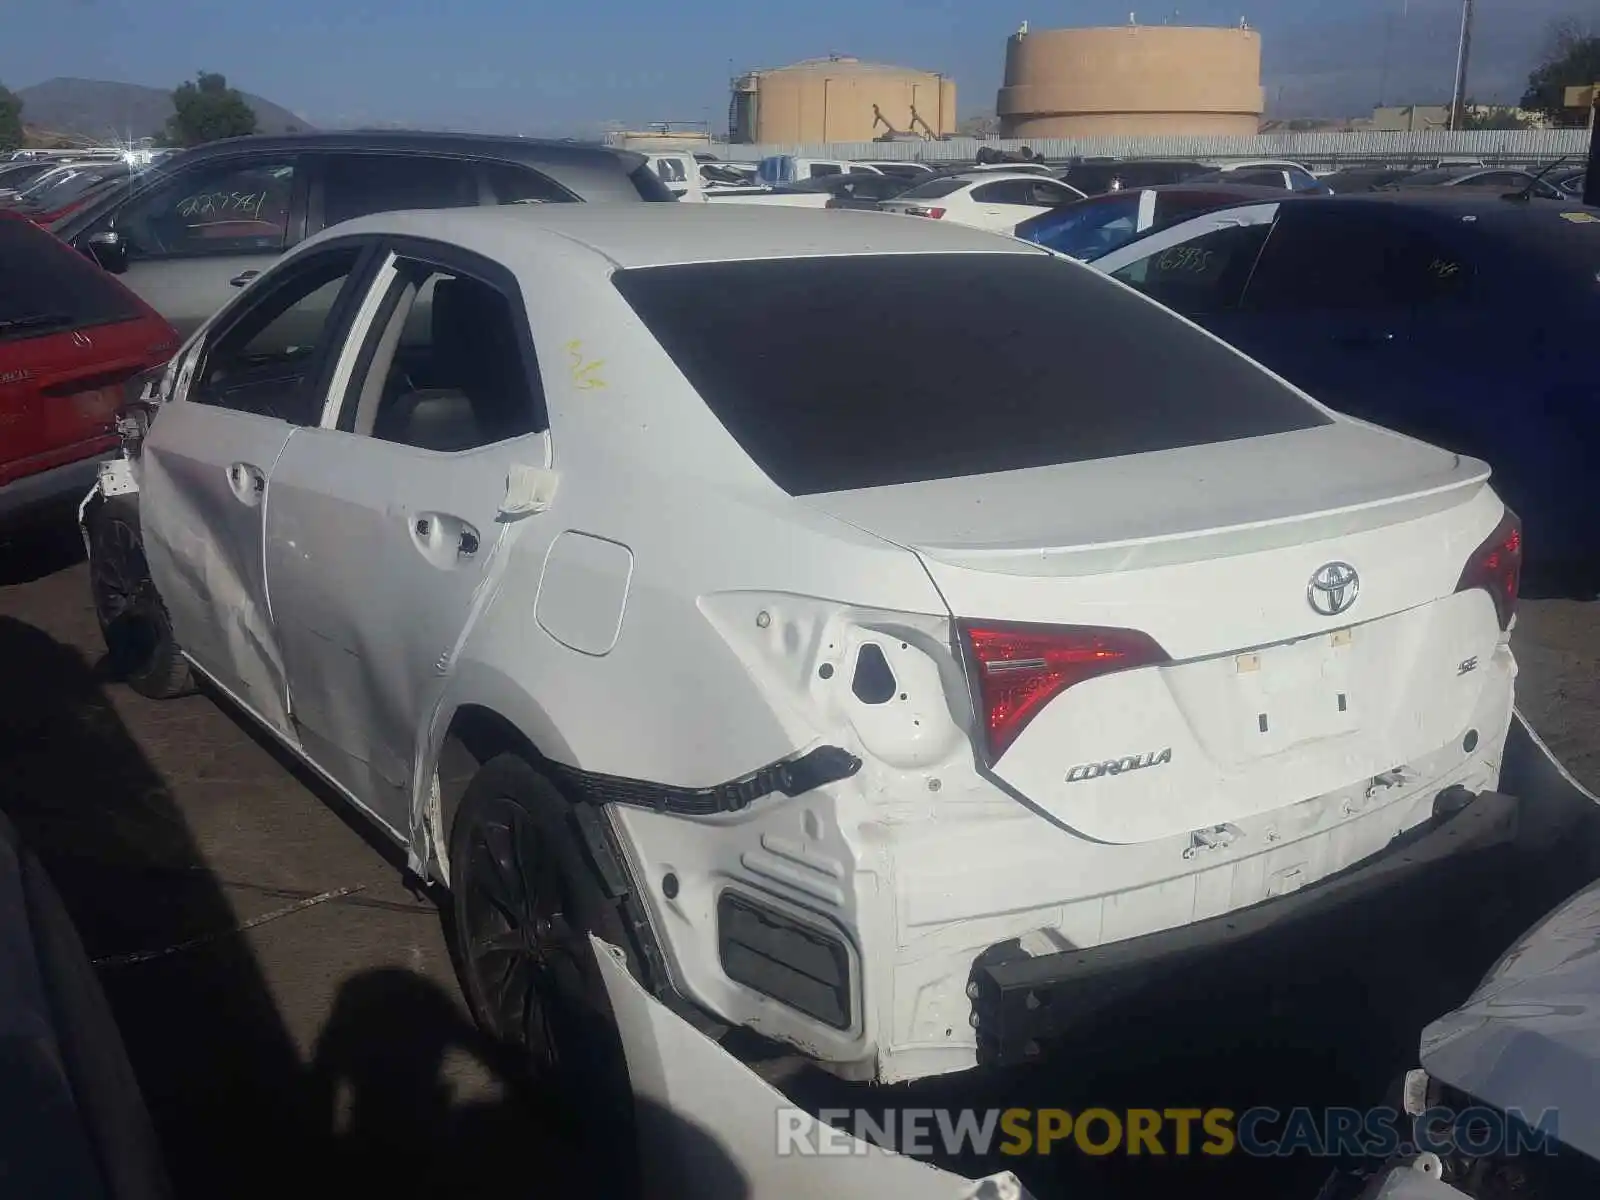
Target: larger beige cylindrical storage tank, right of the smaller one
(1132,81)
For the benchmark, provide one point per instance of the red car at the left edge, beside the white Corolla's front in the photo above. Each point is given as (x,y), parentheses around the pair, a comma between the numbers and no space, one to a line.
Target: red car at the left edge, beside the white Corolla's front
(71,338)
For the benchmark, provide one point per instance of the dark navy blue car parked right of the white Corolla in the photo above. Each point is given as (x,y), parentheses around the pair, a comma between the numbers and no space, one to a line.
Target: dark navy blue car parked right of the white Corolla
(1462,318)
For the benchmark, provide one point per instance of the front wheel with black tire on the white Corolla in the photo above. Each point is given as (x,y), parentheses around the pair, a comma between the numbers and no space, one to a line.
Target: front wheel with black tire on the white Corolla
(140,642)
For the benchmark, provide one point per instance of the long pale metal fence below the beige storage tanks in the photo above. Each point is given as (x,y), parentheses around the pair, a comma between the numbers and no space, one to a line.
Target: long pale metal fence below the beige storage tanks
(1316,150)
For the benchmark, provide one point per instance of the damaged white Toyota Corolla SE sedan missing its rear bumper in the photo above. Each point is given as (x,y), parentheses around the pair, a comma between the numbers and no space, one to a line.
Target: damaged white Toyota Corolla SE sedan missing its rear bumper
(874,711)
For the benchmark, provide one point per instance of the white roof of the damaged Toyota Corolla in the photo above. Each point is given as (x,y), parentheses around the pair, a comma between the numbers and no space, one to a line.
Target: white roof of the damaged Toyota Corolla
(652,236)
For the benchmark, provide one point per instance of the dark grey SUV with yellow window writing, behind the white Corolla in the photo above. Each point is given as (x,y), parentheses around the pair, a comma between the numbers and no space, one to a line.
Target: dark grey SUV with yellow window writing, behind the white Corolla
(222,214)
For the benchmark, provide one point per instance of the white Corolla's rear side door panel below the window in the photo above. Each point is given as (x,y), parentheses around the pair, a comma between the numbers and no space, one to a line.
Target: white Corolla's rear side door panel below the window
(375,588)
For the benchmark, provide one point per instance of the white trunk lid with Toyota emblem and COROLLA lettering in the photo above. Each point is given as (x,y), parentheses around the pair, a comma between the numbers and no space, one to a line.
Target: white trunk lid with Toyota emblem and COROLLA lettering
(1210,551)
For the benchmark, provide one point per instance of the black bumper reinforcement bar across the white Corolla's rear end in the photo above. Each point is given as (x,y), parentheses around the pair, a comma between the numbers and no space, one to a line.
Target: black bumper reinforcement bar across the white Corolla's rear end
(1022,1002)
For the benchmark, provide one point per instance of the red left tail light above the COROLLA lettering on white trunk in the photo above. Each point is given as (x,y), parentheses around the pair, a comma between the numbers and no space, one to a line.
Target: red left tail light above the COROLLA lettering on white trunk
(1018,670)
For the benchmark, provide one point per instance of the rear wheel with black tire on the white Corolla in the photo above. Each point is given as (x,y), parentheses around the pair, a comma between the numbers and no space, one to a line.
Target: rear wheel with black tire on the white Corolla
(524,903)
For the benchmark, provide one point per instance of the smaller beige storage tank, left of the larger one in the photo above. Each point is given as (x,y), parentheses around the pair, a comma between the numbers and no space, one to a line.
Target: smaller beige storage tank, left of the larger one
(839,100)
